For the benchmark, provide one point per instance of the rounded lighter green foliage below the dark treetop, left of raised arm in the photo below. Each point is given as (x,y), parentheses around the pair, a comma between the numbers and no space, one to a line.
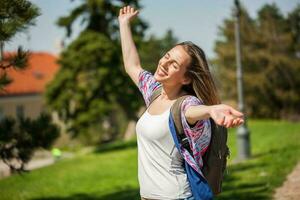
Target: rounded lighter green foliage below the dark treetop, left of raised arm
(84,90)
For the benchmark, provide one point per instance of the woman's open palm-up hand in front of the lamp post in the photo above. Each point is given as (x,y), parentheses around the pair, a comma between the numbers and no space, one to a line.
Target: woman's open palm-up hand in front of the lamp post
(225,115)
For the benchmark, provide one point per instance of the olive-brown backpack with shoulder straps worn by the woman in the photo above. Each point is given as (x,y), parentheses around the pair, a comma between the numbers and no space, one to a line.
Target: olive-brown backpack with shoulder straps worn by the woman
(215,157)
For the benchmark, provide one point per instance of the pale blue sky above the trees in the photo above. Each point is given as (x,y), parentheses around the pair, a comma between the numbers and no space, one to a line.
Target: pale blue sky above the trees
(194,20)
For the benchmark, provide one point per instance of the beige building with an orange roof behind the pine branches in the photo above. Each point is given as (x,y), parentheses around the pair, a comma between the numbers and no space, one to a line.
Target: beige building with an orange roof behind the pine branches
(24,96)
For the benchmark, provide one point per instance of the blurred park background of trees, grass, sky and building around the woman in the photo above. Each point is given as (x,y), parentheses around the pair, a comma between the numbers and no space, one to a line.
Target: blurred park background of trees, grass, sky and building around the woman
(68,109)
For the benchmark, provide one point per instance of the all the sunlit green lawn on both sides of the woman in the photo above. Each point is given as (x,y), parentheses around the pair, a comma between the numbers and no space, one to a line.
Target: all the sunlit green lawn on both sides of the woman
(111,172)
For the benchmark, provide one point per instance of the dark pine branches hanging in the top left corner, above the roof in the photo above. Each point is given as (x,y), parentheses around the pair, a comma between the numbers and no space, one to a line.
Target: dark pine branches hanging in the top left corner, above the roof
(15,16)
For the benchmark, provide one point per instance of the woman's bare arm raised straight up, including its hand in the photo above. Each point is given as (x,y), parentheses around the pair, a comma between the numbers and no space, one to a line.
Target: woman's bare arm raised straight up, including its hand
(130,55)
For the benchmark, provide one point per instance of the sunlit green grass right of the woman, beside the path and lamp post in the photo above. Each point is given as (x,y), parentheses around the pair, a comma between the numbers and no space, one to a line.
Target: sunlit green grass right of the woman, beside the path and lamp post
(275,151)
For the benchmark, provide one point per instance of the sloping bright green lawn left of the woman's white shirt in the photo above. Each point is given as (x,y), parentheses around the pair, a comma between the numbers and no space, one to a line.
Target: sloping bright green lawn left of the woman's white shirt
(109,175)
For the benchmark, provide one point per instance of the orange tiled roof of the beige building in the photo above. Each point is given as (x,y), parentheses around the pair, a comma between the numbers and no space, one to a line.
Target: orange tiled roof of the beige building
(41,69)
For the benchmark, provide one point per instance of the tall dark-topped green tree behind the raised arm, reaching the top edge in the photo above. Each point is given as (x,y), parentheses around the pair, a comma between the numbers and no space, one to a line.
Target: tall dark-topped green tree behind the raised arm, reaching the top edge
(92,93)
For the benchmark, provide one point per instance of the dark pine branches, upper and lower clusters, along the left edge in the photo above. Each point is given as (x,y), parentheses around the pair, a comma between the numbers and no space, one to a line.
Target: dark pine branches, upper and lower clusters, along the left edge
(20,138)
